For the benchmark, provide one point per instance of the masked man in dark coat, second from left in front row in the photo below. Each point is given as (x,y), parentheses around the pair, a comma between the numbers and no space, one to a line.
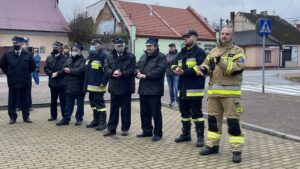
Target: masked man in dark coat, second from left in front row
(54,69)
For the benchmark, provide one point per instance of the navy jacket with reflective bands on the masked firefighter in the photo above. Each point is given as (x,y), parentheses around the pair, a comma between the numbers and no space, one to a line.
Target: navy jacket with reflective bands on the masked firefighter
(94,72)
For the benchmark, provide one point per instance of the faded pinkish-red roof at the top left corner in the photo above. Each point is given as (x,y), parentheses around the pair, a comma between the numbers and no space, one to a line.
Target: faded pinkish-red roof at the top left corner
(33,15)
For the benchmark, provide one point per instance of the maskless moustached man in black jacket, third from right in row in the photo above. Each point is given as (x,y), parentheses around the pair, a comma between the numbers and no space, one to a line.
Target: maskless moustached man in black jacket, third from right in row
(151,69)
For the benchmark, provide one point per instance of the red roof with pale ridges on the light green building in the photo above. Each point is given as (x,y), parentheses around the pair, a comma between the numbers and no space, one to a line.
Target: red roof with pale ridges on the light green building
(165,21)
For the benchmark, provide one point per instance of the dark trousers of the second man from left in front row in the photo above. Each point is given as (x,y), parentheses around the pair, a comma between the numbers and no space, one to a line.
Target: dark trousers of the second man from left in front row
(57,92)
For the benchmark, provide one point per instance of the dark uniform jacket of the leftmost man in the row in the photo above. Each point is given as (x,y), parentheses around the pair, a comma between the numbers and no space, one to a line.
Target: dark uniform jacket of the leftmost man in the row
(18,68)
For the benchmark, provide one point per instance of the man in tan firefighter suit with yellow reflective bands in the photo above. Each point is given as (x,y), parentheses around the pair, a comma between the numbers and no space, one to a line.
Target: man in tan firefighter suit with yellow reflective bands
(224,65)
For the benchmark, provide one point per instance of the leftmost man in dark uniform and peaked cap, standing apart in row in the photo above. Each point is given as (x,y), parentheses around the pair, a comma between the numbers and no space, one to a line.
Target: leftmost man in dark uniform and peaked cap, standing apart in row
(18,64)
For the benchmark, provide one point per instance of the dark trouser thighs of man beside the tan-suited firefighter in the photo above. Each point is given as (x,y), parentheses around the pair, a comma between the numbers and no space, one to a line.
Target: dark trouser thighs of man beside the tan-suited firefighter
(190,108)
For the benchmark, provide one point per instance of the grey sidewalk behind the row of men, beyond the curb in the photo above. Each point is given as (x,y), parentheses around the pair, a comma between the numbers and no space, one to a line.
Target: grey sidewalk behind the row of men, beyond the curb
(272,111)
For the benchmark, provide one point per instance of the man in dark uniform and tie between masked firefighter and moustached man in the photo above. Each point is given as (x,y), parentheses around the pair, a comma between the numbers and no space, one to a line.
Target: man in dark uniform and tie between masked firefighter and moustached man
(120,68)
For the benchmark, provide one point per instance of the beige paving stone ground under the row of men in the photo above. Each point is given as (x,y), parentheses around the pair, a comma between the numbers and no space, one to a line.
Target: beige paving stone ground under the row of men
(44,145)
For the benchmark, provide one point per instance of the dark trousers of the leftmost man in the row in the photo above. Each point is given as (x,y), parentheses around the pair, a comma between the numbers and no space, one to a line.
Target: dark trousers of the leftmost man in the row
(18,97)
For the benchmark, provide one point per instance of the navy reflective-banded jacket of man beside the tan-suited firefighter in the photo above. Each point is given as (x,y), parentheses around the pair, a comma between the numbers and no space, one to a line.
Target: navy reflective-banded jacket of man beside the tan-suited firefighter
(191,84)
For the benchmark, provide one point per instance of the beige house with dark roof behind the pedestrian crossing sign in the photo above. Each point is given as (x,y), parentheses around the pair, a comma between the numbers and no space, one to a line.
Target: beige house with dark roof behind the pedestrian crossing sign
(282,45)
